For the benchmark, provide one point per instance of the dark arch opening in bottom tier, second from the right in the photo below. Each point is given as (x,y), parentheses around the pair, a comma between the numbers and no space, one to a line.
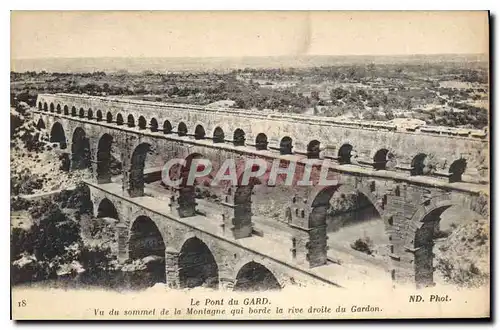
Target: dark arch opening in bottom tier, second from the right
(197,265)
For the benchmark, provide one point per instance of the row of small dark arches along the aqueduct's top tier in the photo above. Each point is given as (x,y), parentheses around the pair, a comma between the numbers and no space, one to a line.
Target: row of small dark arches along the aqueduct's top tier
(382,157)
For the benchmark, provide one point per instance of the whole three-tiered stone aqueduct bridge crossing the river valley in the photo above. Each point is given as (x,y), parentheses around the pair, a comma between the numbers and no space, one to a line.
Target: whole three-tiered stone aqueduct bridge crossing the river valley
(409,177)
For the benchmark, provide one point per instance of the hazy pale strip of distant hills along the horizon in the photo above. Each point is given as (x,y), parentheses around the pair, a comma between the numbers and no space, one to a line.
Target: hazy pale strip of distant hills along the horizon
(178,64)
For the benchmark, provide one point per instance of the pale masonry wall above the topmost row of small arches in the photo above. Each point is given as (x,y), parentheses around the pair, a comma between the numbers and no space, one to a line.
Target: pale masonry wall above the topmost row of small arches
(366,138)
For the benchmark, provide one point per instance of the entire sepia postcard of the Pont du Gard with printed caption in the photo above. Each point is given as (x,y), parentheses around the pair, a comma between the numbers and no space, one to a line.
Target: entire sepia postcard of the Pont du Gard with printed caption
(227,165)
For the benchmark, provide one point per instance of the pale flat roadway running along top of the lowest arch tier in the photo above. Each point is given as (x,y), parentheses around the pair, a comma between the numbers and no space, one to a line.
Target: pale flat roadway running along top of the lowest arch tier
(271,249)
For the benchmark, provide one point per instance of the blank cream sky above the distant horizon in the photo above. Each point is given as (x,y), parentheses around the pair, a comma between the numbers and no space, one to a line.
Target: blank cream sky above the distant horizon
(59,34)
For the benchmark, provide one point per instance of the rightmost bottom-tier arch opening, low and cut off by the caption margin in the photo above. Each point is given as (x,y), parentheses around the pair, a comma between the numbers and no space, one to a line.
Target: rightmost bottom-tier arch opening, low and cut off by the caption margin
(254,276)
